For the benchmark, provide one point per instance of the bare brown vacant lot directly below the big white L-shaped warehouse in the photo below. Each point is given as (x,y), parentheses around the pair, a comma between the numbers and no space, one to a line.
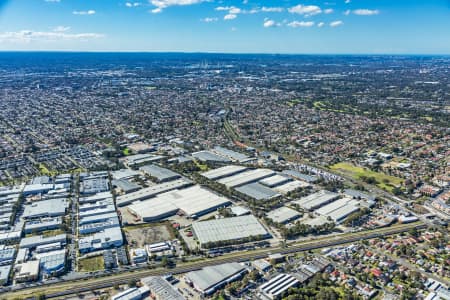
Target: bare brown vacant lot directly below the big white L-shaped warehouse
(139,235)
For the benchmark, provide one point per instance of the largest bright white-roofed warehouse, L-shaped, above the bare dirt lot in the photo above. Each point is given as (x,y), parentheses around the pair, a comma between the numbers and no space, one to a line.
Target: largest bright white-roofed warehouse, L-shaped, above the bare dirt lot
(193,201)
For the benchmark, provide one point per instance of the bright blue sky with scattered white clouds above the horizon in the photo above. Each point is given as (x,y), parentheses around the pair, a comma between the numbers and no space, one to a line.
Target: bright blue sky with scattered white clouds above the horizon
(228,26)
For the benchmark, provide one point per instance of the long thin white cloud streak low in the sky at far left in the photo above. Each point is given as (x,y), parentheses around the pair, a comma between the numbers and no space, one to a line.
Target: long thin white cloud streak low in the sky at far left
(26,36)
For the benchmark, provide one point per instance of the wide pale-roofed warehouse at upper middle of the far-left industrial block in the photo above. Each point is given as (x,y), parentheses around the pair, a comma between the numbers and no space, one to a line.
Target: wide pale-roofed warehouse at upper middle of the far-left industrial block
(46,208)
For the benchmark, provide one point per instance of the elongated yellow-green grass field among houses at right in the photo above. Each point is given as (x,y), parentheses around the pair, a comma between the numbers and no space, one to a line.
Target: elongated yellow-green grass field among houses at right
(384,181)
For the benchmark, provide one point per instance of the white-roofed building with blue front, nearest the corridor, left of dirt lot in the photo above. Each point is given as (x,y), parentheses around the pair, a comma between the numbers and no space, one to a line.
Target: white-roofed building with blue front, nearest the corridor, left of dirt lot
(110,237)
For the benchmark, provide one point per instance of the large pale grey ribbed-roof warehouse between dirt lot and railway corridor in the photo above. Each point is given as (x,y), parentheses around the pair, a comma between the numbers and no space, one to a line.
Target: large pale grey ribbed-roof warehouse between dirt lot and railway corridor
(235,229)
